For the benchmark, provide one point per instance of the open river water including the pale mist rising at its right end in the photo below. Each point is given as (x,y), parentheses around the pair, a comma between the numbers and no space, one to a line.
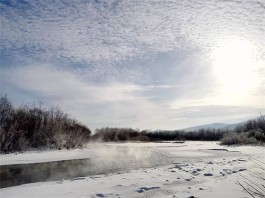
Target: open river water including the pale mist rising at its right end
(122,160)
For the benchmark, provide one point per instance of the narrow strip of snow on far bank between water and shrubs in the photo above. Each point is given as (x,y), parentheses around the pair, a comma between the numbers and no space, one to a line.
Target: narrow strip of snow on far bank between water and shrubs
(100,150)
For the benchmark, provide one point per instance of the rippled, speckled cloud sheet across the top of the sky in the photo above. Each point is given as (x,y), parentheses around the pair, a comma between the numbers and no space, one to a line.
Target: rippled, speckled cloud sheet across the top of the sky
(112,31)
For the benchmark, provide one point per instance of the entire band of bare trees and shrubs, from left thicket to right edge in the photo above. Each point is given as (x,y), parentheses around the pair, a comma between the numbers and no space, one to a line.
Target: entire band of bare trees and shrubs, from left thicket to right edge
(34,127)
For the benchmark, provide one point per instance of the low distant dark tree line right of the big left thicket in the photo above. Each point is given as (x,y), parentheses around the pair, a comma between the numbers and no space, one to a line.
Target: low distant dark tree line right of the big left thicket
(251,132)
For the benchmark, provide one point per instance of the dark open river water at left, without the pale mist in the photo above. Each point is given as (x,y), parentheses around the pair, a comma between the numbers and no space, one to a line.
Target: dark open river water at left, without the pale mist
(17,174)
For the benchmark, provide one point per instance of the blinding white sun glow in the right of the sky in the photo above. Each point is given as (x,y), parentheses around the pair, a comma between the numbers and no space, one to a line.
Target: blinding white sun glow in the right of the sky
(235,66)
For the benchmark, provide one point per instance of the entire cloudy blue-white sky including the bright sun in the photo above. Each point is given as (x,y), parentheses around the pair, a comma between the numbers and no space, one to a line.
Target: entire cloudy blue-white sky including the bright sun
(161,64)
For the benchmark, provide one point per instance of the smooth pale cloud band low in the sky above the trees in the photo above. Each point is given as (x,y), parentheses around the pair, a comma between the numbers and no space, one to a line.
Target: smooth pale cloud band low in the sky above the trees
(115,104)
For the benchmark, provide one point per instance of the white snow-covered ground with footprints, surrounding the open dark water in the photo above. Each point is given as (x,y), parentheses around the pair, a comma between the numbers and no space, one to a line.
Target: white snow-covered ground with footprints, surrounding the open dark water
(199,169)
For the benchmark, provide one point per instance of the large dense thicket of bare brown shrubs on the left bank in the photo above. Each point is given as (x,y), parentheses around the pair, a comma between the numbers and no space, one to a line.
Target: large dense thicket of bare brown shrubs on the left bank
(34,127)
